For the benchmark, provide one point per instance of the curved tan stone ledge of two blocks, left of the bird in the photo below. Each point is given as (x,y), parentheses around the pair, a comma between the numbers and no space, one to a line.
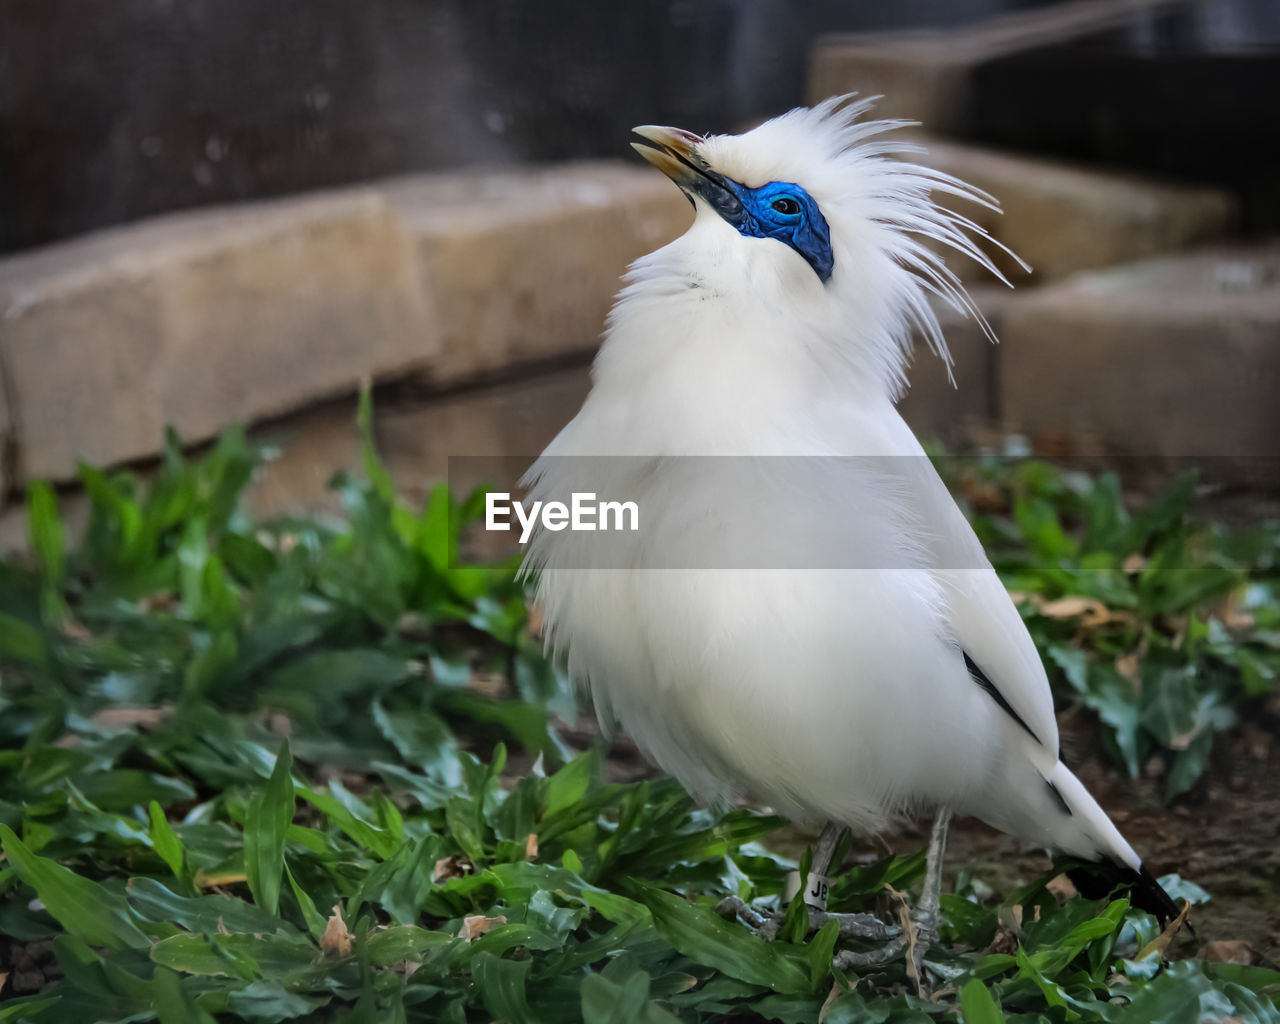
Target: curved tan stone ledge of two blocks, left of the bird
(249,313)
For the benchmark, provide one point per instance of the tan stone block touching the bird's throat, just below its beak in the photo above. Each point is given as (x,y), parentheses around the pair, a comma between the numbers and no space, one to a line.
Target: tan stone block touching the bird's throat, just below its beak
(522,267)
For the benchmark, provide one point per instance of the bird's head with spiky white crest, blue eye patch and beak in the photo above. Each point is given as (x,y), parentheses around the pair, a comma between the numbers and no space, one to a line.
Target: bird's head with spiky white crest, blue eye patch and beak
(811,212)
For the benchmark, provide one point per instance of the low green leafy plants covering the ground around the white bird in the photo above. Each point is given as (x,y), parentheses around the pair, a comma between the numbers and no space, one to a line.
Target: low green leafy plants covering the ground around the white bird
(266,771)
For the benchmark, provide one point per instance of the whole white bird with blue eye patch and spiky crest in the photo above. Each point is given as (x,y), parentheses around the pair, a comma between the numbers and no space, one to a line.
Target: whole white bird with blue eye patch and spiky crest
(821,632)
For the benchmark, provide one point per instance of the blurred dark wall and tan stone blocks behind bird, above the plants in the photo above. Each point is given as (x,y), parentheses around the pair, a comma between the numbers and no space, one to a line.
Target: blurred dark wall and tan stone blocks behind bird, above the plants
(239,211)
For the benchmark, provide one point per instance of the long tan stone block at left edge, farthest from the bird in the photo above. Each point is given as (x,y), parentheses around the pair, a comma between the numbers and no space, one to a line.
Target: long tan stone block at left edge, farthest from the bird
(199,321)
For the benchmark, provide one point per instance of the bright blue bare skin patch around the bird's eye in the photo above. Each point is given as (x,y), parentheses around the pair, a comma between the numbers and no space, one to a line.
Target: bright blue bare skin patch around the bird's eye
(778,211)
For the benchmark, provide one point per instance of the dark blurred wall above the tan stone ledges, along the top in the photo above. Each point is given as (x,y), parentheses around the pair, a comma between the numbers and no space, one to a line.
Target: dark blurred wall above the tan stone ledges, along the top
(112,113)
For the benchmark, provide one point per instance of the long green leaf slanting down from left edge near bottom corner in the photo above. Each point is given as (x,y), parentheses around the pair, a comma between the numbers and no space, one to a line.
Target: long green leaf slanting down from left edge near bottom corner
(84,908)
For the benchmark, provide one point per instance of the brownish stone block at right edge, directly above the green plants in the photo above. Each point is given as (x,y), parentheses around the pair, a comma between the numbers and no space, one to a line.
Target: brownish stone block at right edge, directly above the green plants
(1169,358)
